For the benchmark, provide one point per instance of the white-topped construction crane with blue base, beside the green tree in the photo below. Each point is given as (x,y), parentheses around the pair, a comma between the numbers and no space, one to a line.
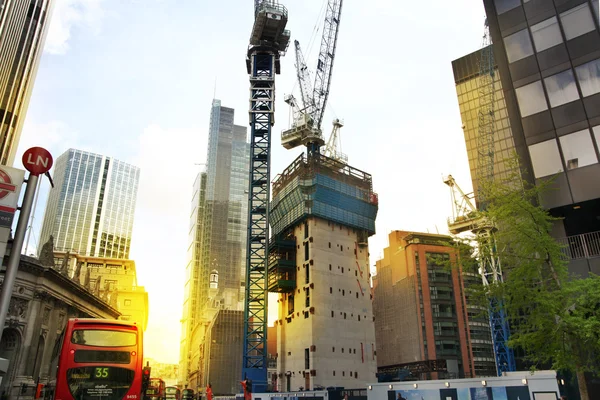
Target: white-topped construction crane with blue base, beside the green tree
(466,215)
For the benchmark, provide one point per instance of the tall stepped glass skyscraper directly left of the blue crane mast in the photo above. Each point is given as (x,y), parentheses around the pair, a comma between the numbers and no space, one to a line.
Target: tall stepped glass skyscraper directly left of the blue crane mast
(216,252)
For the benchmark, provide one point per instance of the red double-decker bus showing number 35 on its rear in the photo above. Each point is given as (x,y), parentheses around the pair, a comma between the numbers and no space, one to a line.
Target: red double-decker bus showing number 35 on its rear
(100,359)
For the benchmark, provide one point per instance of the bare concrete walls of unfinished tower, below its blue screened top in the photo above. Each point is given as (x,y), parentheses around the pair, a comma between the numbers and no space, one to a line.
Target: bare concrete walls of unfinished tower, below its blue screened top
(336,326)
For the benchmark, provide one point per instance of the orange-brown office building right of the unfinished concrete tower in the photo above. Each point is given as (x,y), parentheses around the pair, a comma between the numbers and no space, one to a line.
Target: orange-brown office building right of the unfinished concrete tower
(423,322)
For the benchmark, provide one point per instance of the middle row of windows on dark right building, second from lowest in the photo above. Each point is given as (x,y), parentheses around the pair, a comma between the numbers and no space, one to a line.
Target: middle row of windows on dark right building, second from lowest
(561,88)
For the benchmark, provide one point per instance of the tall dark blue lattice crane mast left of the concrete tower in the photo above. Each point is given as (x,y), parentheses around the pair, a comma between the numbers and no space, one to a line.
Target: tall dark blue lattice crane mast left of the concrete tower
(269,41)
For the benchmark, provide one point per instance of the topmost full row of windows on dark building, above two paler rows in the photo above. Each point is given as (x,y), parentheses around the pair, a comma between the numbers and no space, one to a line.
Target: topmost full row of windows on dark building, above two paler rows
(575,22)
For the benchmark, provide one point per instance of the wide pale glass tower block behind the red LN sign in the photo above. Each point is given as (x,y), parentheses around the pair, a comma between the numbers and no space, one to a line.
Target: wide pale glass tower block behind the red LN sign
(91,207)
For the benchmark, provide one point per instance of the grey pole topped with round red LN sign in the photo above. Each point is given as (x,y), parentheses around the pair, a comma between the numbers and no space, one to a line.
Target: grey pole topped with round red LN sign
(37,161)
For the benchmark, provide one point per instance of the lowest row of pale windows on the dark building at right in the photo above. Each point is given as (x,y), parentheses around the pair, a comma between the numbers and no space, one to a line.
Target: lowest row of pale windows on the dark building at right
(577,149)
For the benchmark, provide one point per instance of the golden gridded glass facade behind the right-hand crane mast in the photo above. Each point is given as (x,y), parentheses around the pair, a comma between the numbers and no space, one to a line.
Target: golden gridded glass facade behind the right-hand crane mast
(466,73)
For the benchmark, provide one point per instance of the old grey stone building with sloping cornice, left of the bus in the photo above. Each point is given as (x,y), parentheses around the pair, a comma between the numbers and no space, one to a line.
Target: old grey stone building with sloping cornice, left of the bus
(44,298)
